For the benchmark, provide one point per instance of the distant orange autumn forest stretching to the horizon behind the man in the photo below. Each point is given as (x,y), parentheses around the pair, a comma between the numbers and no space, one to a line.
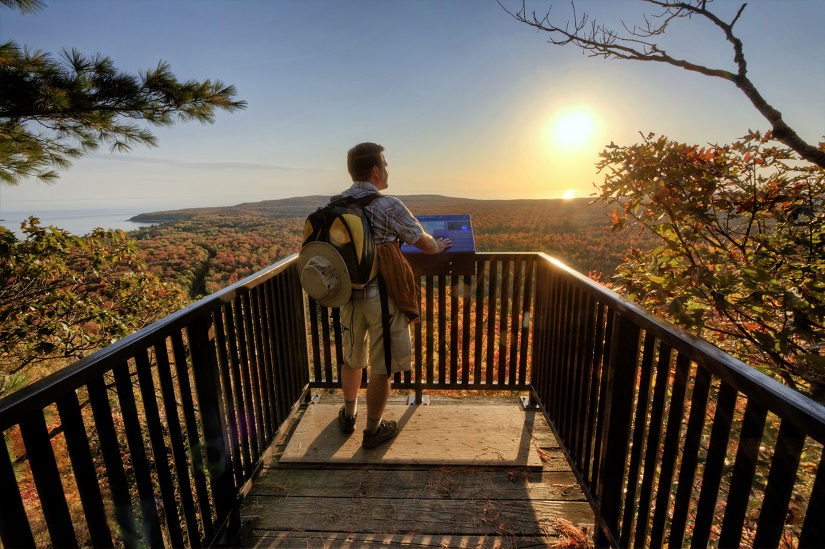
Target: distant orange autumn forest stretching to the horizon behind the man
(206,249)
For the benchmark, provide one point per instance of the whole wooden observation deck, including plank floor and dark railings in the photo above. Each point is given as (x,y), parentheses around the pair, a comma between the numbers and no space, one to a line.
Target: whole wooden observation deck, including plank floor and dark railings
(182,433)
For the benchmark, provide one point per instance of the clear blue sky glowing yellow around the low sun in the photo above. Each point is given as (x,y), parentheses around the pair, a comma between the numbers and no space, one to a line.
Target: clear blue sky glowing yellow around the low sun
(467,101)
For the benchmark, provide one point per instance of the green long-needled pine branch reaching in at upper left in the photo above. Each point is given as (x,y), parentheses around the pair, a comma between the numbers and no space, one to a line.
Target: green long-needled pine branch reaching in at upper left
(81,102)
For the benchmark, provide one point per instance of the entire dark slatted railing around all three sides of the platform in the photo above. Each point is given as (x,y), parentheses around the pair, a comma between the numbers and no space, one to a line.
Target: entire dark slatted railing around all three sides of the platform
(162,432)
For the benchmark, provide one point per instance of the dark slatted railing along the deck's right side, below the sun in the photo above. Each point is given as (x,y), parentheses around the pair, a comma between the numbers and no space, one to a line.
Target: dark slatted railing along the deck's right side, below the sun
(678,443)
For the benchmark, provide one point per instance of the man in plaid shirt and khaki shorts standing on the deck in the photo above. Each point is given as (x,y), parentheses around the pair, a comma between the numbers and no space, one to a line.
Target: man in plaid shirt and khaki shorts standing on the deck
(361,315)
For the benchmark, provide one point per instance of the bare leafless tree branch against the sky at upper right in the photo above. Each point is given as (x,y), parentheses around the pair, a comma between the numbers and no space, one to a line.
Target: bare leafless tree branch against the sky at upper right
(639,44)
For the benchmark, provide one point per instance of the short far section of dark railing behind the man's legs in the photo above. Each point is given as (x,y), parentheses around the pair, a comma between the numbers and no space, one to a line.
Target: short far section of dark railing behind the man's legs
(474,333)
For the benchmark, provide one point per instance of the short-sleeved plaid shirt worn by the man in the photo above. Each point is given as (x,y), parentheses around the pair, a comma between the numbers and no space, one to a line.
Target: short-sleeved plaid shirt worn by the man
(389,217)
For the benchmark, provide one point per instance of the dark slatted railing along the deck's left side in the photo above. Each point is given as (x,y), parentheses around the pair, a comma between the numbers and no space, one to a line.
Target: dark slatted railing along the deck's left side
(152,440)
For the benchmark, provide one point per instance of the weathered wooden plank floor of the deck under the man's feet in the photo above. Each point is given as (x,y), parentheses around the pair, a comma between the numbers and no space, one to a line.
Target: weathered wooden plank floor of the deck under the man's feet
(492,475)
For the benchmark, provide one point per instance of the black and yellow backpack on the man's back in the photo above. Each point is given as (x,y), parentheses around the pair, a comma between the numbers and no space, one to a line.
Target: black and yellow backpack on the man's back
(344,225)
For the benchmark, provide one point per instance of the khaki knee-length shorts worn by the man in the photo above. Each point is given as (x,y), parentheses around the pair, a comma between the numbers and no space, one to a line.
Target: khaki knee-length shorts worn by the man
(363,339)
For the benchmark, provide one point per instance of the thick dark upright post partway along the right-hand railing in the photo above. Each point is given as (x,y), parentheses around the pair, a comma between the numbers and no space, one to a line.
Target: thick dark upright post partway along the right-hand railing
(621,377)
